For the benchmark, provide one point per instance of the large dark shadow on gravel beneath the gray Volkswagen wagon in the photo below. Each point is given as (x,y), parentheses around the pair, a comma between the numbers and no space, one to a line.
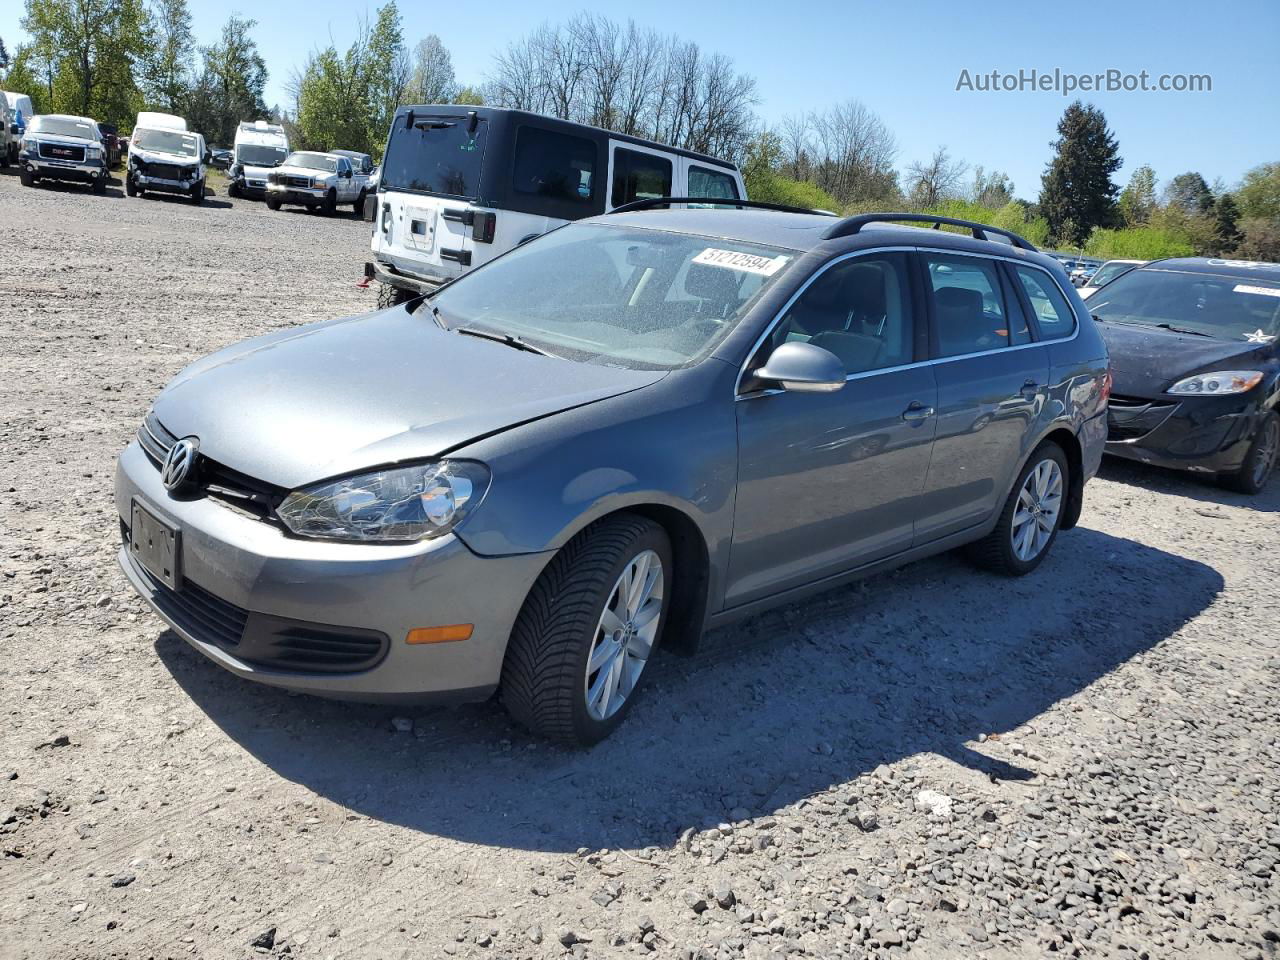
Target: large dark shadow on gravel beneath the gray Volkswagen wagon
(771,711)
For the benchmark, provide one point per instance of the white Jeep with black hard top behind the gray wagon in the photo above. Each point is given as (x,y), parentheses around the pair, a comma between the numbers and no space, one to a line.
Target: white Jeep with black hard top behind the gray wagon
(461,185)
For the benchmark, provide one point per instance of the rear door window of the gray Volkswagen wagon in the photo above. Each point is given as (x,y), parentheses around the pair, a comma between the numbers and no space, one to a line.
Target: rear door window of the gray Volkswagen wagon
(968,305)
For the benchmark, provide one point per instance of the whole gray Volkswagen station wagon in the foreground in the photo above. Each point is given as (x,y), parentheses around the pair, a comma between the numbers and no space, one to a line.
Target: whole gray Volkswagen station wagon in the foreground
(612,438)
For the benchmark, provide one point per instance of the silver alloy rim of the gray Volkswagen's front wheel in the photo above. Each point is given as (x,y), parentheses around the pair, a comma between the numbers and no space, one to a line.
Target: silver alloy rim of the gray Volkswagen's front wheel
(625,636)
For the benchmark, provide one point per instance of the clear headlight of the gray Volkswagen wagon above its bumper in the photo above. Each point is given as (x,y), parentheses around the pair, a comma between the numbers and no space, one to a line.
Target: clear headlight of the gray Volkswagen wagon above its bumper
(397,505)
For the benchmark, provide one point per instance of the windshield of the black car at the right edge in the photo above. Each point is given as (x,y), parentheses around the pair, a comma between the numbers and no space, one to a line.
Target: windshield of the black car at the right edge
(1228,308)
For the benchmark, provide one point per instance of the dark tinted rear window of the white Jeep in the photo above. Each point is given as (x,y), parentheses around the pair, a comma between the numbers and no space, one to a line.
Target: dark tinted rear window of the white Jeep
(437,156)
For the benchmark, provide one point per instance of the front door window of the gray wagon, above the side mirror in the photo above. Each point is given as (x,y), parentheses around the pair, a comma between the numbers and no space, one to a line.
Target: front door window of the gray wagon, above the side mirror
(860,310)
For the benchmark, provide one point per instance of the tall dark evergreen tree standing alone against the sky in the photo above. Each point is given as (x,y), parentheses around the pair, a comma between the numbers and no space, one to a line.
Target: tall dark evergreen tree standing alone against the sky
(1077,193)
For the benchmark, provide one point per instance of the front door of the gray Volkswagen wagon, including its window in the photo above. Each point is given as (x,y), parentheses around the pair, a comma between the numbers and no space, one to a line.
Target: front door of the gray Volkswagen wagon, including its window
(829,482)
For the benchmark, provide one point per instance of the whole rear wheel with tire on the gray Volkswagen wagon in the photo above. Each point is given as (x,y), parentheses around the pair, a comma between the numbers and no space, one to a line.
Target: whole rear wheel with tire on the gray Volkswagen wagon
(1000,551)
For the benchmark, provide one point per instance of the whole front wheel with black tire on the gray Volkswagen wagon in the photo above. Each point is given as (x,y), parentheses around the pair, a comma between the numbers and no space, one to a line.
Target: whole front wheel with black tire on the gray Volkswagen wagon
(546,676)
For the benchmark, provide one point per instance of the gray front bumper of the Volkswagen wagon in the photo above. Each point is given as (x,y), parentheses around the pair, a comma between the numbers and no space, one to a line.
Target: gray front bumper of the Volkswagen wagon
(240,565)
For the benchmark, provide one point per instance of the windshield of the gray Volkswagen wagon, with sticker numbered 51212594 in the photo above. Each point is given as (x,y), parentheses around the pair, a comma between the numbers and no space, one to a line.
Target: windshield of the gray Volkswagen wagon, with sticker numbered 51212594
(619,296)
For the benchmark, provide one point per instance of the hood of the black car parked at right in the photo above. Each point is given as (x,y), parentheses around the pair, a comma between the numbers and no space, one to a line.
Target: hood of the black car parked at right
(1146,360)
